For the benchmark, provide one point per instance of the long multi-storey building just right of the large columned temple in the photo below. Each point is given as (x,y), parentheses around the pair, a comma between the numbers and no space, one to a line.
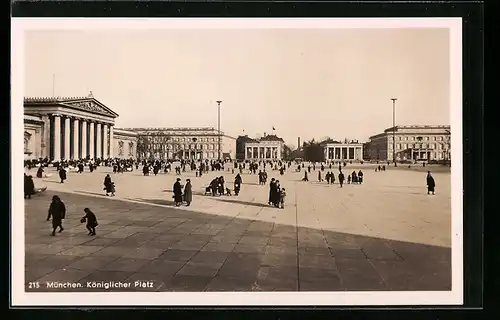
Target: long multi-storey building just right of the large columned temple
(183,143)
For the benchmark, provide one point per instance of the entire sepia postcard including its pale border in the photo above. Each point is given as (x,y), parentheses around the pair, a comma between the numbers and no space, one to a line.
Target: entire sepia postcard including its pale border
(237,161)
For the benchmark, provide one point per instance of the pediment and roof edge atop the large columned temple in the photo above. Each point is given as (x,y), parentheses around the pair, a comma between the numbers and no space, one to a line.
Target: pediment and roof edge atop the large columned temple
(88,104)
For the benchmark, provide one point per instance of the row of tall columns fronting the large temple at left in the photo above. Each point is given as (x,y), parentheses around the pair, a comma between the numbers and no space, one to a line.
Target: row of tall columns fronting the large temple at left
(77,138)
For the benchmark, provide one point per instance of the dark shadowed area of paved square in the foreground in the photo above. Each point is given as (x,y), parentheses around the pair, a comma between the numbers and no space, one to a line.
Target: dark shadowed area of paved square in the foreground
(182,250)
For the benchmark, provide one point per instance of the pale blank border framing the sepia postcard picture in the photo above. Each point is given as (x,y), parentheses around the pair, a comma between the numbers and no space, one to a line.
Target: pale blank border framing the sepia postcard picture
(22,298)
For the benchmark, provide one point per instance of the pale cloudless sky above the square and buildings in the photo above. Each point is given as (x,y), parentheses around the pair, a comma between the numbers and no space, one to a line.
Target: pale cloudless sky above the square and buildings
(307,83)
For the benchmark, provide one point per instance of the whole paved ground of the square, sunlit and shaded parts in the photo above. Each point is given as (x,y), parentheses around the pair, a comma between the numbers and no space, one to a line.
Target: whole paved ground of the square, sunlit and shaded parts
(386,234)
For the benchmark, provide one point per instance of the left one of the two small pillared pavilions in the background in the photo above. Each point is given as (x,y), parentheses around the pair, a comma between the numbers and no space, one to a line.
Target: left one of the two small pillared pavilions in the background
(269,147)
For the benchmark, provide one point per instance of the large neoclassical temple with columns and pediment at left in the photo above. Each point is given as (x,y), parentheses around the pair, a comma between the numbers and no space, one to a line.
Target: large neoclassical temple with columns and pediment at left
(67,128)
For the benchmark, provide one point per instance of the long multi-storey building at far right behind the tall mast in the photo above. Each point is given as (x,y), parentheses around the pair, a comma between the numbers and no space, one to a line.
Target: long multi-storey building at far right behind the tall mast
(412,143)
